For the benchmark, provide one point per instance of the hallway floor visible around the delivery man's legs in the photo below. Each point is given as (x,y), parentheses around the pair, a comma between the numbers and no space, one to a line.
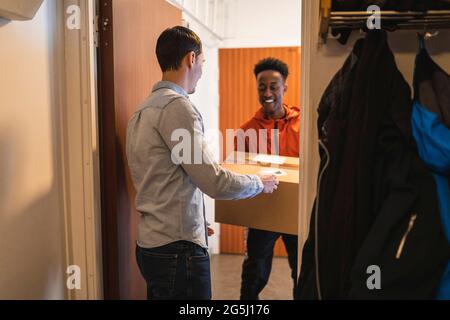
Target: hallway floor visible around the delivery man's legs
(226,278)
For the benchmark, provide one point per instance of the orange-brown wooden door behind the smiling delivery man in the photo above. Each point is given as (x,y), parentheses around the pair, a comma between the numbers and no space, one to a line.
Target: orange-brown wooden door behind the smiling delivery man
(236,76)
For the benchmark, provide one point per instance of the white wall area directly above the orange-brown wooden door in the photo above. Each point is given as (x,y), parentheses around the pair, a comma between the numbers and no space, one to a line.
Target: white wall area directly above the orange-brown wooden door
(262,23)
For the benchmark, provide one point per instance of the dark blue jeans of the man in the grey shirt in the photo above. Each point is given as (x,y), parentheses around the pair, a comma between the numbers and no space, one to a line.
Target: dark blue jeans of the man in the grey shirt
(177,271)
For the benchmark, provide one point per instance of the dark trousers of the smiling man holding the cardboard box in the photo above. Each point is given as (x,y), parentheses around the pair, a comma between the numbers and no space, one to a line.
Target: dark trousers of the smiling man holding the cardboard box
(258,263)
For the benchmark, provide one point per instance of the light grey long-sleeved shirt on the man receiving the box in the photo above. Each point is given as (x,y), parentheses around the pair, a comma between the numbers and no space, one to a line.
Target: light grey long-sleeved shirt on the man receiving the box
(169,187)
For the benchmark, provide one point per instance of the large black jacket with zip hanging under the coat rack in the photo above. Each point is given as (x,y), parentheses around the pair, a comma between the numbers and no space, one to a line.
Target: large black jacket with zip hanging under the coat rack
(370,174)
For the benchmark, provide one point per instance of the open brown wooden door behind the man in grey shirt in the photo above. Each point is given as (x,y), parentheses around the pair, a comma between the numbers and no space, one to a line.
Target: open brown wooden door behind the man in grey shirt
(127,71)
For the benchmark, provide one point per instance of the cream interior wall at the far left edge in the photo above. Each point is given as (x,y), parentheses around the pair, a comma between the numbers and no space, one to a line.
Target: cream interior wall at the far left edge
(31,216)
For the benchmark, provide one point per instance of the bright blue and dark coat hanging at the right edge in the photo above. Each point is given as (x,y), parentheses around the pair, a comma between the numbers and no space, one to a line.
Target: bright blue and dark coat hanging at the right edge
(431,130)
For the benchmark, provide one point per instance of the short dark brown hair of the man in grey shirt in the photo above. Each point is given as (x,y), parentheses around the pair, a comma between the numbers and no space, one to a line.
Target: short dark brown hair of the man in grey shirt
(174,44)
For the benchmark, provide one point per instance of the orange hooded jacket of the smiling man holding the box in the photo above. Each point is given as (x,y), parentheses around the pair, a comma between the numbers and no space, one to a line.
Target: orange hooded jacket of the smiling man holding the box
(289,131)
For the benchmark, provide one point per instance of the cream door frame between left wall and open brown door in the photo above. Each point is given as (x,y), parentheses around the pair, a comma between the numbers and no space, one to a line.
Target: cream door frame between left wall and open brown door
(75,60)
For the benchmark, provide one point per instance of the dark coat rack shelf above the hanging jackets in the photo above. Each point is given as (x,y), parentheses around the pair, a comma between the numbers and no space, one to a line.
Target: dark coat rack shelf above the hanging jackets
(390,20)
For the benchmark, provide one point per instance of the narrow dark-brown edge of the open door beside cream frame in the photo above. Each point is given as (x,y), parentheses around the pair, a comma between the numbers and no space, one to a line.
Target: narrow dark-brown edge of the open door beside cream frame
(108,151)
